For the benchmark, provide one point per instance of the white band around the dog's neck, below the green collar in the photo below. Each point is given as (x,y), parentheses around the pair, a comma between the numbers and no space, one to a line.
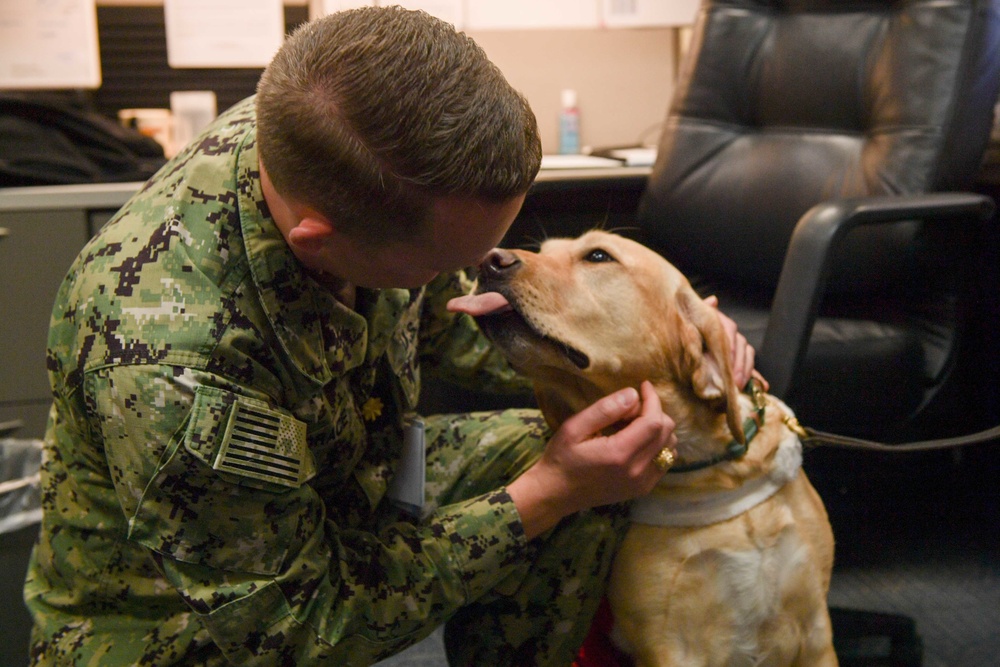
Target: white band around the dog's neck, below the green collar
(719,506)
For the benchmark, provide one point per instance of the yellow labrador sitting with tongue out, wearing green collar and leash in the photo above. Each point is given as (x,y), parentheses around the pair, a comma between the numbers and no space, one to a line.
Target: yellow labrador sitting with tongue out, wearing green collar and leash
(728,560)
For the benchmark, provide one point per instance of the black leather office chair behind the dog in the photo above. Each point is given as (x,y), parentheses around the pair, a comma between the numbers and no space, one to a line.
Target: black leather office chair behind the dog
(798,129)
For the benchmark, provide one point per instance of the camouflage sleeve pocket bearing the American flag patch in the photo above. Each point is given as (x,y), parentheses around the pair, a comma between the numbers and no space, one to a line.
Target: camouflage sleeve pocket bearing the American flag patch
(216,500)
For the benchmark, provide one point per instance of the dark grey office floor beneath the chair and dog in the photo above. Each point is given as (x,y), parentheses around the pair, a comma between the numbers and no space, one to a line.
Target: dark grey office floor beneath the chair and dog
(917,535)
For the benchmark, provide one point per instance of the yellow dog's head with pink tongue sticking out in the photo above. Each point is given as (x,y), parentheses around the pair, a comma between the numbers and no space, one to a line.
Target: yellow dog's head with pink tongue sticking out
(587,316)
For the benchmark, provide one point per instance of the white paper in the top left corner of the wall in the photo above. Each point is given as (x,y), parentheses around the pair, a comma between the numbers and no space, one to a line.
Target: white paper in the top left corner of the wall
(49,44)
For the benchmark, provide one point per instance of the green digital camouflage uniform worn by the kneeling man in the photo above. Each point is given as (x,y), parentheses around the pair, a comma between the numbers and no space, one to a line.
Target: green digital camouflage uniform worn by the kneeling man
(221,439)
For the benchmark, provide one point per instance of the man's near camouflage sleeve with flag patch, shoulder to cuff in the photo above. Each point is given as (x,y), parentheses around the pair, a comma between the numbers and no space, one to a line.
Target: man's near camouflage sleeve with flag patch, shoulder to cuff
(213,483)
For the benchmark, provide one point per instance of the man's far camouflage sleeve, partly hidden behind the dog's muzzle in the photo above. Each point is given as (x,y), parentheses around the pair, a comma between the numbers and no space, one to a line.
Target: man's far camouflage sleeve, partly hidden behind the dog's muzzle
(454,347)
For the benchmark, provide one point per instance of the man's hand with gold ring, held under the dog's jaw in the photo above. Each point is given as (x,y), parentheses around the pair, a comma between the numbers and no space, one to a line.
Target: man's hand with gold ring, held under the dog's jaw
(581,468)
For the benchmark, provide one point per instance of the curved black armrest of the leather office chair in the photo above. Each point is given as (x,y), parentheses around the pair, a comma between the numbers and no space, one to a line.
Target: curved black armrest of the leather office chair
(806,267)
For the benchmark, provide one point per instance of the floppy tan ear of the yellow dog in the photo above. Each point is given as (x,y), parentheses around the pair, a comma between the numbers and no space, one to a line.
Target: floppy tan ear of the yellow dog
(705,357)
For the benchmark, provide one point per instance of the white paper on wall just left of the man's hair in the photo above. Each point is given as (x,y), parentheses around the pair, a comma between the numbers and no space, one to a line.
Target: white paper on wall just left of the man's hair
(223,33)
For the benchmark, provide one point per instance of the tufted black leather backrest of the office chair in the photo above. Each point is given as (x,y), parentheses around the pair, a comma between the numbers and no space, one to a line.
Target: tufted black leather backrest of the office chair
(782,104)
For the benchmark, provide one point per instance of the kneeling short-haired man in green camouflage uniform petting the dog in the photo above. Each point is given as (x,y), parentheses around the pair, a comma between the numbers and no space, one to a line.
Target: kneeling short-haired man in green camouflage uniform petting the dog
(233,359)
